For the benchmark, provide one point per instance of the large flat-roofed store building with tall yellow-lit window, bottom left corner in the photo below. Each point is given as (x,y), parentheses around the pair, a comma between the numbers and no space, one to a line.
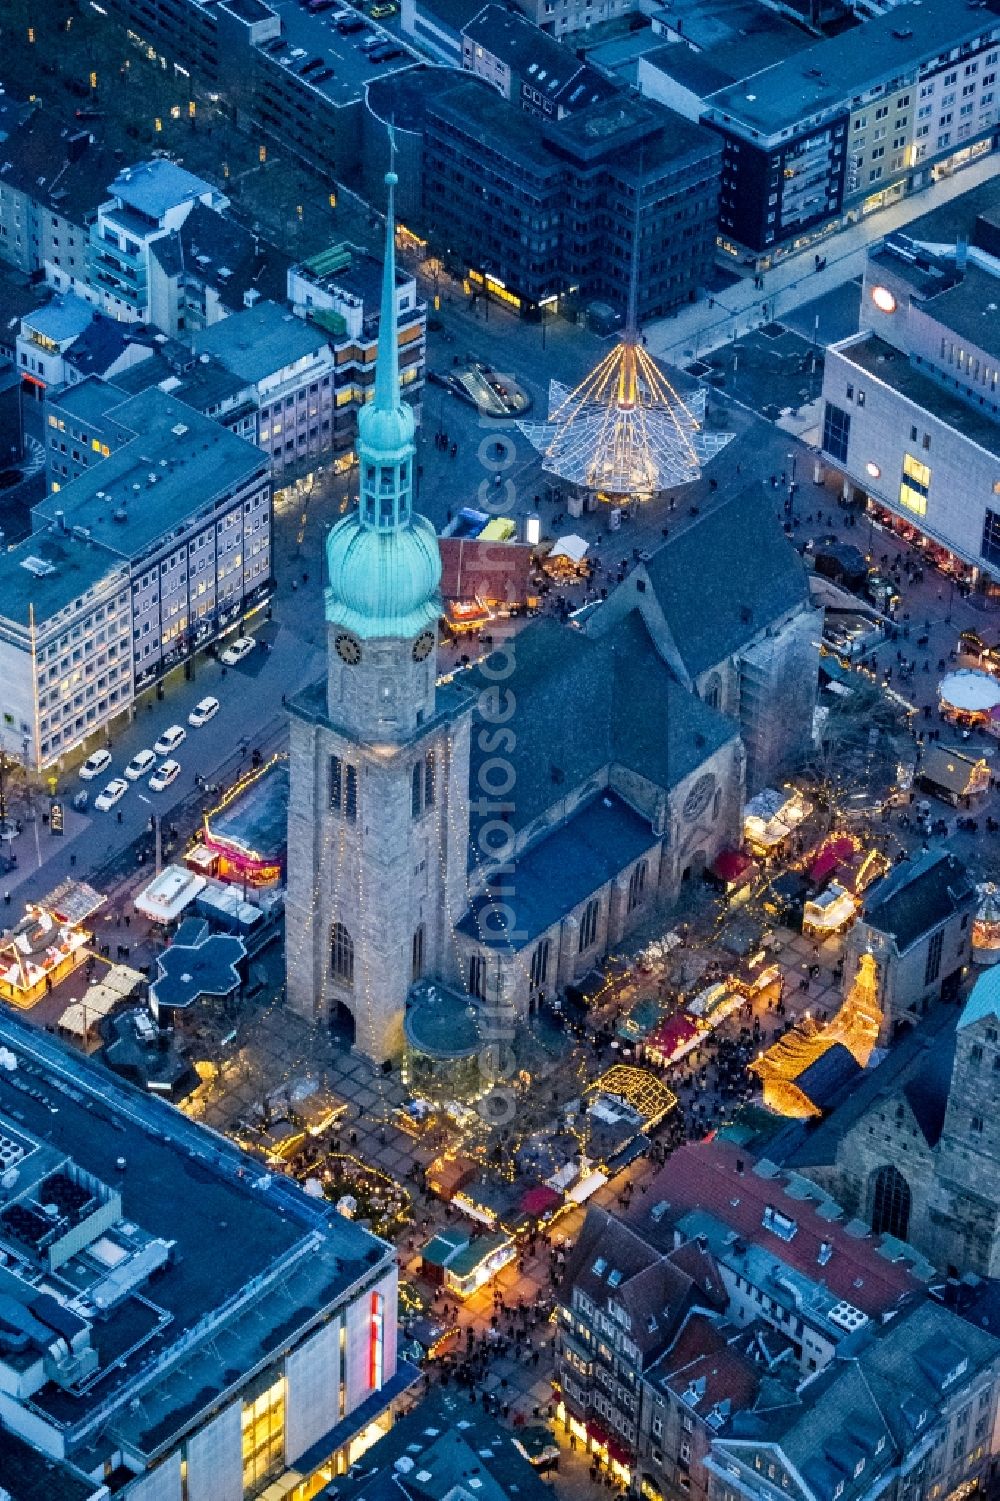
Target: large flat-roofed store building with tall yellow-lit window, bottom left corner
(176,1323)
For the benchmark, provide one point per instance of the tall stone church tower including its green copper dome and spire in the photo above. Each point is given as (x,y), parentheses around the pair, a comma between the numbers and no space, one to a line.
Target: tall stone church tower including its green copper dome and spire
(379,760)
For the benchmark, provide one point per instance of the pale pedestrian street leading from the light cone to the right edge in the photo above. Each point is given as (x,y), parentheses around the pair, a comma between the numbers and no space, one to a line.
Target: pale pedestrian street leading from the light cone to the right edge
(699,329)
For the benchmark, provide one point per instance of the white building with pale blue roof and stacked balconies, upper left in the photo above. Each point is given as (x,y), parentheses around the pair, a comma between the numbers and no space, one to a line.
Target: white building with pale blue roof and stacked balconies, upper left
(148,202)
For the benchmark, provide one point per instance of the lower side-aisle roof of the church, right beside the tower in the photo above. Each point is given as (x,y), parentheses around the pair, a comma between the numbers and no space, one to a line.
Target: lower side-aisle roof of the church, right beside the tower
(561,871)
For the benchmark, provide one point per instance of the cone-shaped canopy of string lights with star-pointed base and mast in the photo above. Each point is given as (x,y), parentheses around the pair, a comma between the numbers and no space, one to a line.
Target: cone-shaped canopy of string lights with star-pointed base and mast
(625,433)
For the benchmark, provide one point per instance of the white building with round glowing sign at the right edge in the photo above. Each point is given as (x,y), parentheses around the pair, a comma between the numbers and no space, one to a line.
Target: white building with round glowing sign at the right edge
(912,403)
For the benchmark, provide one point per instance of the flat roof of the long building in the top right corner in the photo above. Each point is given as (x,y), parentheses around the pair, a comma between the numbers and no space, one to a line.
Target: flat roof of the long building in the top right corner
(830,73)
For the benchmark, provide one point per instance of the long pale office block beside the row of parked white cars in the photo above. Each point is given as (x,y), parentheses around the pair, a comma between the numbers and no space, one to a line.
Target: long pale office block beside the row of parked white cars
(155,540)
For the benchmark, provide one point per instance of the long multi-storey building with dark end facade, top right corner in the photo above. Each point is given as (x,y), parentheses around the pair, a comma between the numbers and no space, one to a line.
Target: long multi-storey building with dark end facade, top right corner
(836,131)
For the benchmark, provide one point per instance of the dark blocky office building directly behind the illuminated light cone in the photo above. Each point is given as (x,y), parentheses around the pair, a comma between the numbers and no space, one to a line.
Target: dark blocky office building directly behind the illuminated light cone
(561,199)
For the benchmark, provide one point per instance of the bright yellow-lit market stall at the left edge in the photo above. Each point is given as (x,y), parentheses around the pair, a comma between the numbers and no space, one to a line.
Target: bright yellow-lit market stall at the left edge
(47,945)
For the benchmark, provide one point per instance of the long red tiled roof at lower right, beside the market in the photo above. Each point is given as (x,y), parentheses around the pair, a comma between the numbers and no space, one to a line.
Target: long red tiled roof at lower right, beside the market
(705,1178)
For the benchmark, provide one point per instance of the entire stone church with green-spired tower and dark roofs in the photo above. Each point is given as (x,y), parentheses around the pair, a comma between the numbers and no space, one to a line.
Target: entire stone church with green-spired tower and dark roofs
(501,832)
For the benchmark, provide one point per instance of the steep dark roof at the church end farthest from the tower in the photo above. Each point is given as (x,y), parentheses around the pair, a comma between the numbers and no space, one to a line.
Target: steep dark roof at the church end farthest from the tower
(724,579)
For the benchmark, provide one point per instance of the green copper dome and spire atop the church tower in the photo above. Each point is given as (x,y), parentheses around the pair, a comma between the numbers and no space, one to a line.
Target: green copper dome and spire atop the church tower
(384,561)
